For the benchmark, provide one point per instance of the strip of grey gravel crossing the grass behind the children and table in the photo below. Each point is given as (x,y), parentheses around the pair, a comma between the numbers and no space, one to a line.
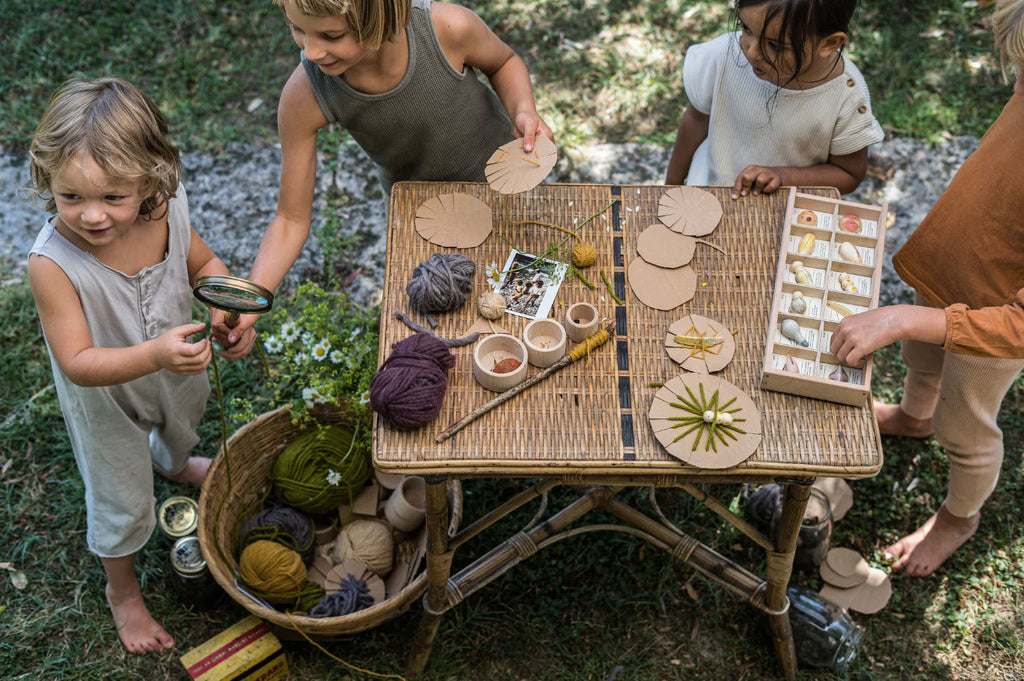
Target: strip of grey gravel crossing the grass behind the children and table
(233,200)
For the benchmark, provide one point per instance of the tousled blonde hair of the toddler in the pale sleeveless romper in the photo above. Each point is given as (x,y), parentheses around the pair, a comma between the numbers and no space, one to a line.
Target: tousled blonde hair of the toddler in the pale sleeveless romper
(119,127)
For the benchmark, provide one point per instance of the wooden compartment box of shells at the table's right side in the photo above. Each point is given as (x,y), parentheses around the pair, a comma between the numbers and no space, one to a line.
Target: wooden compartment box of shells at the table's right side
(830,267)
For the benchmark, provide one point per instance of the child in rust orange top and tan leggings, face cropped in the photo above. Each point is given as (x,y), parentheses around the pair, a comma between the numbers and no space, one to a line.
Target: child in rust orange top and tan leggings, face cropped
(963,343)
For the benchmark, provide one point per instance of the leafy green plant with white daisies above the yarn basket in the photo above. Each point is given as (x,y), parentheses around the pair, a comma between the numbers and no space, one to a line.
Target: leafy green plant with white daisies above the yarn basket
(321,349)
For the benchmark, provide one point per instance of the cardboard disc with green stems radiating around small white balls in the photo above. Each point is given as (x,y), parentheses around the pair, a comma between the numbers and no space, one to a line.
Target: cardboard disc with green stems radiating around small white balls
(692,445)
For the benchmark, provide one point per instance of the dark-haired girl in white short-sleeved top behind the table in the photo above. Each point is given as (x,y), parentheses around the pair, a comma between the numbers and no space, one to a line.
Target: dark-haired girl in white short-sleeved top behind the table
(777,104)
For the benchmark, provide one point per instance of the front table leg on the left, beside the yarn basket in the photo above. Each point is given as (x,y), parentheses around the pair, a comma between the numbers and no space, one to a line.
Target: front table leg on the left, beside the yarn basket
(439,570)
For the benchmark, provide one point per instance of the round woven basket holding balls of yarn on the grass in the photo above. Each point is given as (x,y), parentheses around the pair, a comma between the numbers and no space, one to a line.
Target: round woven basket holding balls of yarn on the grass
(252,450)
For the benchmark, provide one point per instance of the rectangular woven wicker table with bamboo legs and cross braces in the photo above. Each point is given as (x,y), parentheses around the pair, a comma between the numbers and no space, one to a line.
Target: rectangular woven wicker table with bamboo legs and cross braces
(587,427)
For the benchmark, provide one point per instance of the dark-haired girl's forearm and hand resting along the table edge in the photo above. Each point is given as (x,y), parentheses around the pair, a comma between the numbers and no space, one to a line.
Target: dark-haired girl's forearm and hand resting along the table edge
(843,173)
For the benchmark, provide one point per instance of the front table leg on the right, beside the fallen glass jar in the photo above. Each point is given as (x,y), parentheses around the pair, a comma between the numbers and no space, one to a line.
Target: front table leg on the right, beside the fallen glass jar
(781,568)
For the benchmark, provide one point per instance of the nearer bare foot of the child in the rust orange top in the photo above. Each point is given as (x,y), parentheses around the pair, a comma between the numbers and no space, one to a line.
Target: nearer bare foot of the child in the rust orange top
(926,549)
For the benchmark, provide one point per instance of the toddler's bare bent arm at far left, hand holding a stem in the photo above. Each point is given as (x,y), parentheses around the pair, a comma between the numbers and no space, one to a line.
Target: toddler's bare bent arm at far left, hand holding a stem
(67,331)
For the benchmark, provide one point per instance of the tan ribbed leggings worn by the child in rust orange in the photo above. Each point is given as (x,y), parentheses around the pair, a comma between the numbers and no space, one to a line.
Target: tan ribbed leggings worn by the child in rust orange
(962,395)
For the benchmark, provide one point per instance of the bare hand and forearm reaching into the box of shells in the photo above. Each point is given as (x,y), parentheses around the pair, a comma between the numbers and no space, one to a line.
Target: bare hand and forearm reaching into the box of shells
(860,335)
